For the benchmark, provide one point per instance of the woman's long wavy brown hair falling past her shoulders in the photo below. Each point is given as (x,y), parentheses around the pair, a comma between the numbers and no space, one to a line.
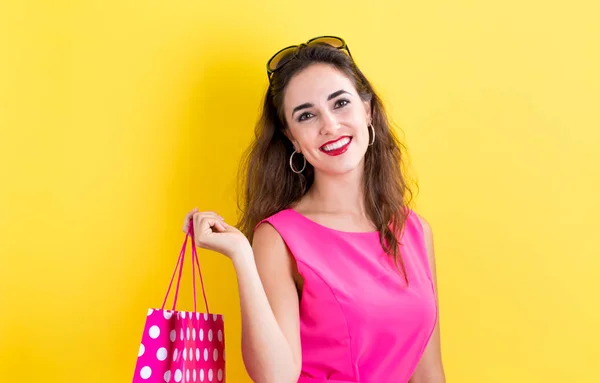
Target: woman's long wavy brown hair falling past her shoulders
(268,185)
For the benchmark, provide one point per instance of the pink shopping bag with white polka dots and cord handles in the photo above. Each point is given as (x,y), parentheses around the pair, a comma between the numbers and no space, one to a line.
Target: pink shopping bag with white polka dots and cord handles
(182,346)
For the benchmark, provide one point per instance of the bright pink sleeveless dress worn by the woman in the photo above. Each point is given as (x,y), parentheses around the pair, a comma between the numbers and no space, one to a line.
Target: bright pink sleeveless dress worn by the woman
(358,321)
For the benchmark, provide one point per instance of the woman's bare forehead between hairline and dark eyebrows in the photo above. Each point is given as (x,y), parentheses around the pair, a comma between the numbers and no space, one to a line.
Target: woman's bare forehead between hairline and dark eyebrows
(314,84)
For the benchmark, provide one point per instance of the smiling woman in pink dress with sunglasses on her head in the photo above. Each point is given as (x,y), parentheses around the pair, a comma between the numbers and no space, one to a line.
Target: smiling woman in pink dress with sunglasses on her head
(336,274)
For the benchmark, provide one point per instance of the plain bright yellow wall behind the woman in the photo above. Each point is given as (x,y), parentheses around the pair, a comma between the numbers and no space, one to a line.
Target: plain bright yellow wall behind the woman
(119,116)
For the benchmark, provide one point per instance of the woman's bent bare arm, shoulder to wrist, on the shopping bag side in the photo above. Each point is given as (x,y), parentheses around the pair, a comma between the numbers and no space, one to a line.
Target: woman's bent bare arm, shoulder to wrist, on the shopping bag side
(270,310)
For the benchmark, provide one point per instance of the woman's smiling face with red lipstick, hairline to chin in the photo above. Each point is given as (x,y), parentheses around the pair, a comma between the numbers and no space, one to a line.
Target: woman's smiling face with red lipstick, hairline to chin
(327,120)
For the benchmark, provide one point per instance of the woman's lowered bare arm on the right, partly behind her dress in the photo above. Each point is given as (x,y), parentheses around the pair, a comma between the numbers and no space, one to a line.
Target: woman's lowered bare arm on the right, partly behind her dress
(430,368)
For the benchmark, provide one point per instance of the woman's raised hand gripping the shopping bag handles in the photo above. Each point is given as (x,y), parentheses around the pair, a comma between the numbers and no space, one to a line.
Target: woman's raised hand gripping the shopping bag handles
(212,233)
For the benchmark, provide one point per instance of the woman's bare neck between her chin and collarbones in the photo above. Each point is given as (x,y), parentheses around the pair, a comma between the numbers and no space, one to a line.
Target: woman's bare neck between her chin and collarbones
(341,193)
